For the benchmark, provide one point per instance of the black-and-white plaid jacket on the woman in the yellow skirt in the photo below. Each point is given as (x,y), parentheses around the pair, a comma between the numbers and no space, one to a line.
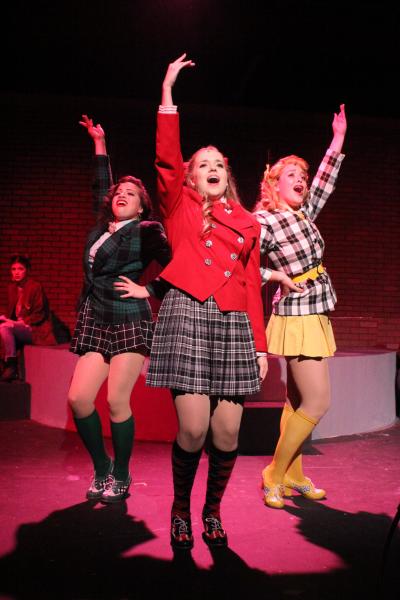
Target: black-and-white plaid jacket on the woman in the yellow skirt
(294,244)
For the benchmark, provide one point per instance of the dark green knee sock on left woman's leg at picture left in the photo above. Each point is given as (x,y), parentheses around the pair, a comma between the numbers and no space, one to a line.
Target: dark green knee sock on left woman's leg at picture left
(90,432)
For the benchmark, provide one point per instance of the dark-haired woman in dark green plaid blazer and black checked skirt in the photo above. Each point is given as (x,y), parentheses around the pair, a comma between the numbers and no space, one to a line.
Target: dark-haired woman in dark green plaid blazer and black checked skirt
(113,333)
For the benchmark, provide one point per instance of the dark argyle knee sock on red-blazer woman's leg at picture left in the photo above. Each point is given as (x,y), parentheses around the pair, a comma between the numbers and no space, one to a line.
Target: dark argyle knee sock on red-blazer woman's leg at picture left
(184,468)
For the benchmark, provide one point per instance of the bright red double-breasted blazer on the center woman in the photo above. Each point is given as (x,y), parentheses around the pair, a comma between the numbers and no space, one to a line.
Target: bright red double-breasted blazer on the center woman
(226,262)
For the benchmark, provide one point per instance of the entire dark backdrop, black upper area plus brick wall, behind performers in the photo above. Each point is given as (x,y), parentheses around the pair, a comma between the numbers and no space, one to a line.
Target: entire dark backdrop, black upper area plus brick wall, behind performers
(266,83)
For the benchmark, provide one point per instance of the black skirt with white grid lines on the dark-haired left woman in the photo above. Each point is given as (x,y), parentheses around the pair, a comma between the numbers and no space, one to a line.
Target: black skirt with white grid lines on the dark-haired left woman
(110,340)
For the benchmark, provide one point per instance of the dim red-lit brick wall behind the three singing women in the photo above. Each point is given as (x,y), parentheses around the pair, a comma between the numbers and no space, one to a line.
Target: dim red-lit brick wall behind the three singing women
(45,194)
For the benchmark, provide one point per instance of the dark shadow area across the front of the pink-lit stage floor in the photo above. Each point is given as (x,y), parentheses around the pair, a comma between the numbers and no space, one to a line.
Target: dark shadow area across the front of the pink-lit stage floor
(78,554)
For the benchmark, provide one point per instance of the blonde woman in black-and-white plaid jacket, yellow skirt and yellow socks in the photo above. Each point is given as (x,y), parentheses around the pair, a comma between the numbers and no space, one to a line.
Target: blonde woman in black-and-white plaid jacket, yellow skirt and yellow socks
(299,327)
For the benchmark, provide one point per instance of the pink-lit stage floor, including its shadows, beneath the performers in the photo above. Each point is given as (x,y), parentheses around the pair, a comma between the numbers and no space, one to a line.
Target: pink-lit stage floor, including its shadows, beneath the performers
(55,545)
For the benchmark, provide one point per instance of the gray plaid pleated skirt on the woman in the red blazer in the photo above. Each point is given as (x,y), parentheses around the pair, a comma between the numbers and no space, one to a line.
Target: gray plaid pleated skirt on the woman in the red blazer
(199,349)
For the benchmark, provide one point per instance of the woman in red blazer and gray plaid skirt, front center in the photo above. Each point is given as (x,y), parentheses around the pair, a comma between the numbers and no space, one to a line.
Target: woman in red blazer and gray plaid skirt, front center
(209,346)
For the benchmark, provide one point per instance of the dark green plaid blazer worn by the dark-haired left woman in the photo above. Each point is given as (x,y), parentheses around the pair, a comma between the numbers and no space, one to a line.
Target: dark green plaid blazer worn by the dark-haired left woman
(127,252)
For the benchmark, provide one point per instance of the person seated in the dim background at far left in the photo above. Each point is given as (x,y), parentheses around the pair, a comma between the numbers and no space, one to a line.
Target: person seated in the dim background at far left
(27,320)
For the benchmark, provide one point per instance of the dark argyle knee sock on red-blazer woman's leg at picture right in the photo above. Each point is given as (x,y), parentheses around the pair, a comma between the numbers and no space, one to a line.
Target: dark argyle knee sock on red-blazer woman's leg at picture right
(220,465)
